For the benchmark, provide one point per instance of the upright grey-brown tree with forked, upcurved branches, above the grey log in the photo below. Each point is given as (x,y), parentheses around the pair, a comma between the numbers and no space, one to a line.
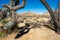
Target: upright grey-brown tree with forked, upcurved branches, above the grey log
(13,7)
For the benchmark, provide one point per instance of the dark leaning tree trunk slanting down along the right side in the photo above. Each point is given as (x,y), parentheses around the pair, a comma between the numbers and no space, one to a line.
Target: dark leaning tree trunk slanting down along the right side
(55,20)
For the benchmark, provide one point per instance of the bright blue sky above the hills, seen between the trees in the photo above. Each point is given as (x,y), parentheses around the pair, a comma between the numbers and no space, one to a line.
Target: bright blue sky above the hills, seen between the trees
(33,5)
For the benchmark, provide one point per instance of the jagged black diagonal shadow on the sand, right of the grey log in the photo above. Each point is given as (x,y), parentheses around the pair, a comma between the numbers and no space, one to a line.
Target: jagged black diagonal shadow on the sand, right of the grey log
(22,31)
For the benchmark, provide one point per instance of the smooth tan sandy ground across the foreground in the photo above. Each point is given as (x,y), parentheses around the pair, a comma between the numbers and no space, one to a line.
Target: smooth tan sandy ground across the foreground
(42,33)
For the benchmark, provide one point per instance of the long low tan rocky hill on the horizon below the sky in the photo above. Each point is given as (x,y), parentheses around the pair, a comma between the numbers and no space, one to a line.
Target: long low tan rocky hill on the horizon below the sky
(46,14)
